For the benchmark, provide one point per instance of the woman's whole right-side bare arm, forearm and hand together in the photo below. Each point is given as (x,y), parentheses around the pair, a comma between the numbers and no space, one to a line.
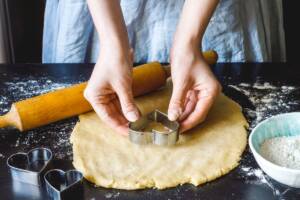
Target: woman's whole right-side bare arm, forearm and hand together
(194,86)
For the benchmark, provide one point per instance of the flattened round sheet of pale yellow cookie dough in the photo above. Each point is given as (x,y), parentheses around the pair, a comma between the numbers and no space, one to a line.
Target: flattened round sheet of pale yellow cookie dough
(203,154)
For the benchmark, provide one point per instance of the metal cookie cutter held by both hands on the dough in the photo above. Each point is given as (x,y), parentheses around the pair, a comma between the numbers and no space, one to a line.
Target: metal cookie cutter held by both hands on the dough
(139,136)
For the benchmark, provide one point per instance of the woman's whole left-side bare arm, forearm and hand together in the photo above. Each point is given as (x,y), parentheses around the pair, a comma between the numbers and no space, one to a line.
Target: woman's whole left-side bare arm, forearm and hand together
(110,87)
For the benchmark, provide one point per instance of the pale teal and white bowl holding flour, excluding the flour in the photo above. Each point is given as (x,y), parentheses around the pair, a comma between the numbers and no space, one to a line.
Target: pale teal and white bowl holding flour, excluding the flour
(280,125)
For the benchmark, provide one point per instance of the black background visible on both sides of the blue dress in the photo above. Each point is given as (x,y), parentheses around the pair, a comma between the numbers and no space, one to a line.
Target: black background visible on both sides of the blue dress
(27,27)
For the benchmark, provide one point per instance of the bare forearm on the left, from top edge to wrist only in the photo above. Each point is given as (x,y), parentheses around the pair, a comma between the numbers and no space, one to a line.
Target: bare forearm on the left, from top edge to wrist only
(108,19)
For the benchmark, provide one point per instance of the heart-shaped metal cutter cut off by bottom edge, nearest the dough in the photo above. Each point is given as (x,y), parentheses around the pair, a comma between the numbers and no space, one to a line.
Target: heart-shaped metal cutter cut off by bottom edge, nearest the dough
(63,185)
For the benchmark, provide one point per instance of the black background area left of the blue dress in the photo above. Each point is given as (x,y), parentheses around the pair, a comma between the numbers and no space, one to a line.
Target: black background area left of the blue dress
(26,17)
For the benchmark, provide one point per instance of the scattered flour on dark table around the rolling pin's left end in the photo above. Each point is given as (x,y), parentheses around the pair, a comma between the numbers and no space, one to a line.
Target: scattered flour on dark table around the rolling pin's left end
(55,136)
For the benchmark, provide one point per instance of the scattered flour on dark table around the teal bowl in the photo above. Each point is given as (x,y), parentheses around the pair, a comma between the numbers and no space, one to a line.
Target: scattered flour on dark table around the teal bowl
(268,100)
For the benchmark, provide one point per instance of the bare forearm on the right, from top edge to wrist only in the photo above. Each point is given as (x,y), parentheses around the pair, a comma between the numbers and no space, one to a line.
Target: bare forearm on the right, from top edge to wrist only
(193,21)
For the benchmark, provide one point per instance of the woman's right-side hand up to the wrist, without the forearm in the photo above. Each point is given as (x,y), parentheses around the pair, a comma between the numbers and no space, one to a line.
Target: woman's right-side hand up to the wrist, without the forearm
(194,88)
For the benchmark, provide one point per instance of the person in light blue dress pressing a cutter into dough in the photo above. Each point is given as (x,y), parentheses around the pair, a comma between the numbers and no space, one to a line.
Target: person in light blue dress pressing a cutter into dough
(147,30)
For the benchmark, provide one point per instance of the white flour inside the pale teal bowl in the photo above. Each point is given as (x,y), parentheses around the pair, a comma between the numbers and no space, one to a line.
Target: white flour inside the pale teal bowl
(283,151)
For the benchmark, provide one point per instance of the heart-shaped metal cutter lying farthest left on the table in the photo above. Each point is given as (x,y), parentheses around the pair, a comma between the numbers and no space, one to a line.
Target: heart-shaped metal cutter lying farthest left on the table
(30,167)
